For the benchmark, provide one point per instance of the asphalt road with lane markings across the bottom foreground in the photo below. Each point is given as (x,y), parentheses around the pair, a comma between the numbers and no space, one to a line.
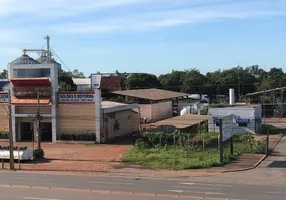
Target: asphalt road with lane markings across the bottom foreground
(67,187)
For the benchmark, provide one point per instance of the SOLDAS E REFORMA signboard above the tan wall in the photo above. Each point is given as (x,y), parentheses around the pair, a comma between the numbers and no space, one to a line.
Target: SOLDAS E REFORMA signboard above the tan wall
(76,97)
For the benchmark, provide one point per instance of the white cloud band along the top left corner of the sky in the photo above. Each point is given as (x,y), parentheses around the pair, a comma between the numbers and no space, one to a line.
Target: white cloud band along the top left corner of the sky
(59,8)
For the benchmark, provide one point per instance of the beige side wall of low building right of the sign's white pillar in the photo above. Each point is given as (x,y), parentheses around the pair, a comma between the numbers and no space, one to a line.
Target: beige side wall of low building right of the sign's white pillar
(129,122)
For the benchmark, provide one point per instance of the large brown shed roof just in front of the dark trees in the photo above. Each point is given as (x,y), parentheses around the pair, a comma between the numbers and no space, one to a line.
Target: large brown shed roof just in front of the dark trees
(151,94)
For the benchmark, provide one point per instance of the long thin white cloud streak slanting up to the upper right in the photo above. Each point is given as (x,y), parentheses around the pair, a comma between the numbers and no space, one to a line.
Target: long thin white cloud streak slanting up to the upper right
(172,17)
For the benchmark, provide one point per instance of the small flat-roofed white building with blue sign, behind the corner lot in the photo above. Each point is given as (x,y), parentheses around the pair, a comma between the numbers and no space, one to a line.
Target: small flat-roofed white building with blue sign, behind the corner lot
(246,118)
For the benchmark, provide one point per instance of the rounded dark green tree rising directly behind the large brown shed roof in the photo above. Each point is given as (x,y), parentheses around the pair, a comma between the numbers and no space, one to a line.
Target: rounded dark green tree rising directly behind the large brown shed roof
(142,81)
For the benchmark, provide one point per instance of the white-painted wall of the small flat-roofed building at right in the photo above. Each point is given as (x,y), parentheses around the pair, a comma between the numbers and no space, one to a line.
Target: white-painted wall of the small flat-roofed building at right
(251,113)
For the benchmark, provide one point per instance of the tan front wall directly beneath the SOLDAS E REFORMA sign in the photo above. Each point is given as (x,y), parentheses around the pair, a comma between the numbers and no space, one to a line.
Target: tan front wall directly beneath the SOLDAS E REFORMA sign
(76,118)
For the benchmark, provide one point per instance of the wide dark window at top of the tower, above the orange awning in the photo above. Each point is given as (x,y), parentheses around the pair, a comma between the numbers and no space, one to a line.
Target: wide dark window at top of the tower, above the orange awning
(32,73)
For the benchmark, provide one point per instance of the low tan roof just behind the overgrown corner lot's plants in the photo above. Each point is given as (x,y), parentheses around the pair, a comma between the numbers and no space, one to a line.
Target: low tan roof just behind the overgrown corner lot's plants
(183,121)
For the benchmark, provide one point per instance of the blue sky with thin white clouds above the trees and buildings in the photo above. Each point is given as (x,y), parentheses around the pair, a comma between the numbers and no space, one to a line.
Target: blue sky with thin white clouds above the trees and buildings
(150,36)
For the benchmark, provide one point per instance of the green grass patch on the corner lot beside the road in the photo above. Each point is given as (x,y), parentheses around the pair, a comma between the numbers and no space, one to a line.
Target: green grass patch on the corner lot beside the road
(179,159)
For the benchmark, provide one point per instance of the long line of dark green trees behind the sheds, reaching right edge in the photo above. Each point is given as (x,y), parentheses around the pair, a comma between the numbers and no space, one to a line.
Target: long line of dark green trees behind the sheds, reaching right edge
(243,80)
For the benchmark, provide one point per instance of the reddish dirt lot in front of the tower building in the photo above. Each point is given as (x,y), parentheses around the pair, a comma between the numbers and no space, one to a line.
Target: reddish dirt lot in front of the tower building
(76,157)
